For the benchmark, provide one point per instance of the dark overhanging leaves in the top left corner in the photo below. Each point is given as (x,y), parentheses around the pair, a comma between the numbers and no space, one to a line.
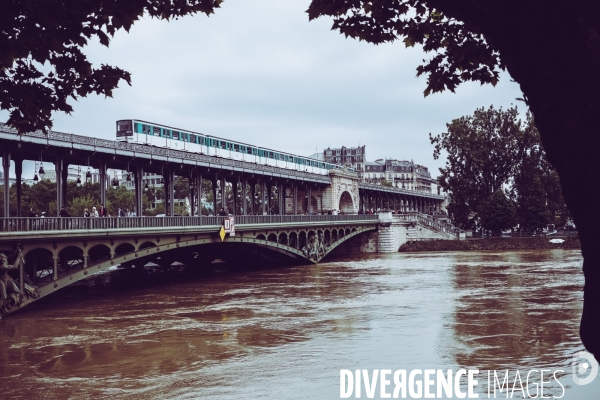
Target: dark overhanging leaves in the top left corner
(42,64)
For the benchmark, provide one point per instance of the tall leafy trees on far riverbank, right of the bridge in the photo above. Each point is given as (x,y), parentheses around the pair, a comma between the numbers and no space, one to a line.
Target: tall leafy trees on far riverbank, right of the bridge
(497,173)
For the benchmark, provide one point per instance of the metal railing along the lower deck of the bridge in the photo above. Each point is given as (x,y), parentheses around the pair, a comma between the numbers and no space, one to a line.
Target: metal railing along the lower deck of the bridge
(14,224)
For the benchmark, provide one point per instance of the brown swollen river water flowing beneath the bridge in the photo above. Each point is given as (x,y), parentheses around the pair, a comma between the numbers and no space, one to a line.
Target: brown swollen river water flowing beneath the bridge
(286,332)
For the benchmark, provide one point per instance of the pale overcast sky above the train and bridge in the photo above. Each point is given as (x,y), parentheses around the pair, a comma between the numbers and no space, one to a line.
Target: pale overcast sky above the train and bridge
(259,72)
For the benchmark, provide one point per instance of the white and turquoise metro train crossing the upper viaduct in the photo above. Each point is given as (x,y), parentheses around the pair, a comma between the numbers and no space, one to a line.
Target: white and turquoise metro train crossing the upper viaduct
(148,133)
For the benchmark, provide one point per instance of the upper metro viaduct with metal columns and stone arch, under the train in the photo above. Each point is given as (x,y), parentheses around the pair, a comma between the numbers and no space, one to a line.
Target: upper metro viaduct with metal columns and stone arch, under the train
(297,192)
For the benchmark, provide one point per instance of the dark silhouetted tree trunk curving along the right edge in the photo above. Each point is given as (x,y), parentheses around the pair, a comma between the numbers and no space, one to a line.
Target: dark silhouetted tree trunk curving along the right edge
(553,51)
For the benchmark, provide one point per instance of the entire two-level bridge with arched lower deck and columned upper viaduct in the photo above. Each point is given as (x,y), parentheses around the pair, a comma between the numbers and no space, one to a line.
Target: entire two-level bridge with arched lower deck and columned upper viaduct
(52,253)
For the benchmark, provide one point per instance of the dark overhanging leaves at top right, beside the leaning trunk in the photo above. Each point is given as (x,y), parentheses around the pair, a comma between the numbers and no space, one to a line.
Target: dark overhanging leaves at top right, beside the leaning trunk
(461,54)
